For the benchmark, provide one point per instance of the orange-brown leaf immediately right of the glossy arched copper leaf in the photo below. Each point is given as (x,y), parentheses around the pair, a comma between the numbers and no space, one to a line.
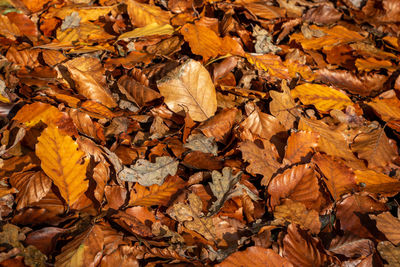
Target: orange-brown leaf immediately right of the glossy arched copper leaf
(340,179)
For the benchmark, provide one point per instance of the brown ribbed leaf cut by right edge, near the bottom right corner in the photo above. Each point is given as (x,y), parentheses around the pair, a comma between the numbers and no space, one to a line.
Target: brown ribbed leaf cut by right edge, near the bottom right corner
(389,226)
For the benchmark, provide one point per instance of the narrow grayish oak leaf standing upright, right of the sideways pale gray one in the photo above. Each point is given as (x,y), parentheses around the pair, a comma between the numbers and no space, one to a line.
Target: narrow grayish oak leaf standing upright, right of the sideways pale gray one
(221,187)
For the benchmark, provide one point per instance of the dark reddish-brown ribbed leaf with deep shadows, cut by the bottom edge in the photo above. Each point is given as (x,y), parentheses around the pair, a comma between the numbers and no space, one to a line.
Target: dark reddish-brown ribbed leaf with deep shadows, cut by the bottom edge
(303,250)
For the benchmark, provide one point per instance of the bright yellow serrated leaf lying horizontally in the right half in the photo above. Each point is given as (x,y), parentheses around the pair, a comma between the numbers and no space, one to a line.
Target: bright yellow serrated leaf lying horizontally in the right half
(323,97)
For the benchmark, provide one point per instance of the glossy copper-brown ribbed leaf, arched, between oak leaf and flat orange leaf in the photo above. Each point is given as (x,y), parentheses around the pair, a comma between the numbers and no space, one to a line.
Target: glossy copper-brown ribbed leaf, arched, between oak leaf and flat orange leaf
(299,183)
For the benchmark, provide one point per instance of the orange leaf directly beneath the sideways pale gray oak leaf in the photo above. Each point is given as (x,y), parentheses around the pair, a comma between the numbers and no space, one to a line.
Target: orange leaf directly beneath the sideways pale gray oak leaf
(155,194)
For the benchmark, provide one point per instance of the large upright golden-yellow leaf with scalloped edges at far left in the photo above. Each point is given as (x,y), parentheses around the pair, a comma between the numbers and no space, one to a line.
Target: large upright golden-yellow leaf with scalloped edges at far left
(63,162)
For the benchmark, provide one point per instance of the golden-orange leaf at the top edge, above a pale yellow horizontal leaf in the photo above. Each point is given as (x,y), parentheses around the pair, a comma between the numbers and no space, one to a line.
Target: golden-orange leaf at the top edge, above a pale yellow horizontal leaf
(143,14)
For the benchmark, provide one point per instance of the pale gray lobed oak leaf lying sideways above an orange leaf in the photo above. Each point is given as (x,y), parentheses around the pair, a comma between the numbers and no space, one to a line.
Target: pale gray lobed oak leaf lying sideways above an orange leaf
(147,173)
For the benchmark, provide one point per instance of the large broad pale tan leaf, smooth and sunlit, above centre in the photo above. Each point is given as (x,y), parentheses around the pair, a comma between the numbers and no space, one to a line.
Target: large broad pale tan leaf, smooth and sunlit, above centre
(189,87)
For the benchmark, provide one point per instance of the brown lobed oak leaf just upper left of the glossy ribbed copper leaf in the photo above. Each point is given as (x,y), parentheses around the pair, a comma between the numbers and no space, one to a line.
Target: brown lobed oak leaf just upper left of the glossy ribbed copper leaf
(262,161)
